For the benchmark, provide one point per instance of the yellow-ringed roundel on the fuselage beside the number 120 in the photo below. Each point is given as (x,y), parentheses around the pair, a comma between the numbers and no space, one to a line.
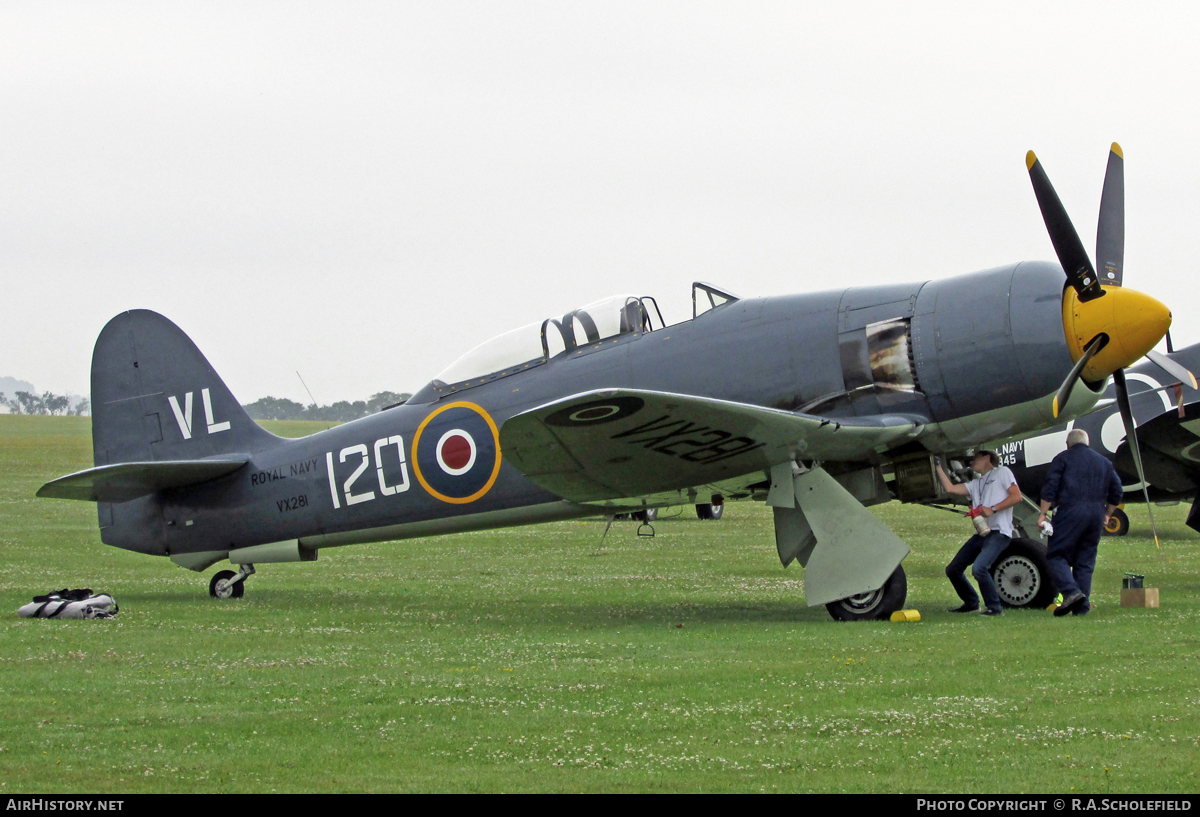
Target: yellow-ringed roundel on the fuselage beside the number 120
(457,453)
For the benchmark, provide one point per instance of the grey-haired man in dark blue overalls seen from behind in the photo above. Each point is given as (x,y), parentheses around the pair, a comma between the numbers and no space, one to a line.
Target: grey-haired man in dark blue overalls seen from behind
(1087,490)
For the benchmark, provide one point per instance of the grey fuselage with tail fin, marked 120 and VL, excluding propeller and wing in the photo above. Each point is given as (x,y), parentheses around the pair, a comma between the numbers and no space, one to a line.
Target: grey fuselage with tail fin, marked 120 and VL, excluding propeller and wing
(974,358)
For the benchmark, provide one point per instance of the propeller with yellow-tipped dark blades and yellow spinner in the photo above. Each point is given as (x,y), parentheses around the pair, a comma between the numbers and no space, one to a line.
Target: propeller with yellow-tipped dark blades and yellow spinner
(1108,327)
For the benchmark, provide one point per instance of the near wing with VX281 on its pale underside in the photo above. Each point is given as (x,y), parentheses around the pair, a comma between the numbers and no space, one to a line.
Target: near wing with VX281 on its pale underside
(617,443)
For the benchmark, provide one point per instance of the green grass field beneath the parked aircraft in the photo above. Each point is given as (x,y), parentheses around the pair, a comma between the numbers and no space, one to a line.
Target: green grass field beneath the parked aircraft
(541,659)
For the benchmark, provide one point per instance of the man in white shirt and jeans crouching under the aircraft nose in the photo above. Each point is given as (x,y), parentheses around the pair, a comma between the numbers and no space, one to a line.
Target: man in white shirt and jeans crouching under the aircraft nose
(994,494)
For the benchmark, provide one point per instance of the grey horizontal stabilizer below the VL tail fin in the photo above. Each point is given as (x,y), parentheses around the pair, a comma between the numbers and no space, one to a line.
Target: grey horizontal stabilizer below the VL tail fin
(130,480)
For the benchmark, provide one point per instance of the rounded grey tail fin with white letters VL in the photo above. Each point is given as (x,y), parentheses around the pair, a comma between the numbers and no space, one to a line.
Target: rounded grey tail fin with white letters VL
(155,398)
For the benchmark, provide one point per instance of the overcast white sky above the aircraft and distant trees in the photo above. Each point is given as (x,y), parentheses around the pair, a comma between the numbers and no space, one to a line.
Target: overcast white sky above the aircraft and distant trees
(364,191)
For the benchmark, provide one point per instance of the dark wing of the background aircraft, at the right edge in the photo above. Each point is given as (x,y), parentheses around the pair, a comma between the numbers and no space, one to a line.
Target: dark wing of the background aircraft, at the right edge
(1171,450)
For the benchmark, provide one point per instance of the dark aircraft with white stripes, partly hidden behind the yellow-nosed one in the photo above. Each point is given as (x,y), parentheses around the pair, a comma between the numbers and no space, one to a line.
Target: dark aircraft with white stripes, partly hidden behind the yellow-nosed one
(1169,442)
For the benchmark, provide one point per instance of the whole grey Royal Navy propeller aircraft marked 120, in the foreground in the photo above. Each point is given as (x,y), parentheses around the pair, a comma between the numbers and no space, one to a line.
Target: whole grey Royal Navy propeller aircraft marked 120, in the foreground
(823,404)
